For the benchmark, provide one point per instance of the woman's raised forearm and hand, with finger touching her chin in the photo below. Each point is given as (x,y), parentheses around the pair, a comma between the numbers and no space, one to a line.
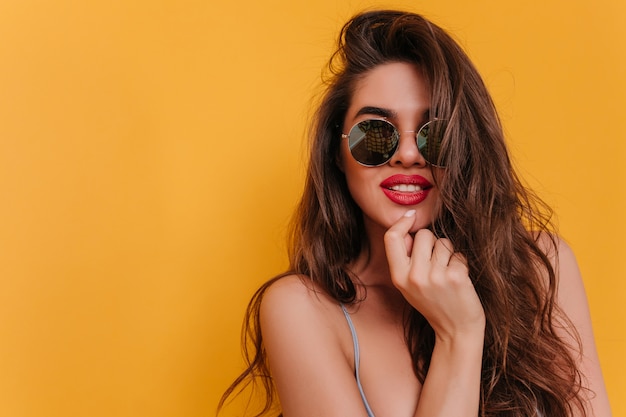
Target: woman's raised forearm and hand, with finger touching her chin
(435,280)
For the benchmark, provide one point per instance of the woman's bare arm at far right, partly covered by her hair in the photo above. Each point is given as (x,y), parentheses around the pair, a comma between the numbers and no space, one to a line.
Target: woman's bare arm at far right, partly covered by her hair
(572,300)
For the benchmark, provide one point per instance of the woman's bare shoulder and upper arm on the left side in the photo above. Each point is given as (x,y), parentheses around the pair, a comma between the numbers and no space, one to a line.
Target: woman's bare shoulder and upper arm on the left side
(308,360)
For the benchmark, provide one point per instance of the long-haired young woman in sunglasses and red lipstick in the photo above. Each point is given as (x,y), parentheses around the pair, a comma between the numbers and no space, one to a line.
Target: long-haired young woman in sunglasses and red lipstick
(425,279)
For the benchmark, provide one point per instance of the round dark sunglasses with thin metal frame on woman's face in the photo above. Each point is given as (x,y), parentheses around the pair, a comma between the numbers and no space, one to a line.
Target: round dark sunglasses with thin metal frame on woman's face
(373,142)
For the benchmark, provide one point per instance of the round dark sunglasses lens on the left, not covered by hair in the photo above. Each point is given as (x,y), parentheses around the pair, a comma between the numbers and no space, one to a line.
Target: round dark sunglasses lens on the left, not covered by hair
(373,142)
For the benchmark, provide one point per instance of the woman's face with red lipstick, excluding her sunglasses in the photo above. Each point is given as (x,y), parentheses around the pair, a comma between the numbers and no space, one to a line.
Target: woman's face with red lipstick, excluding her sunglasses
(398,93)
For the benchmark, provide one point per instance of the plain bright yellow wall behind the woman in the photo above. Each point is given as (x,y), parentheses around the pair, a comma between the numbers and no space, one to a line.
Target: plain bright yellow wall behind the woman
(151,154)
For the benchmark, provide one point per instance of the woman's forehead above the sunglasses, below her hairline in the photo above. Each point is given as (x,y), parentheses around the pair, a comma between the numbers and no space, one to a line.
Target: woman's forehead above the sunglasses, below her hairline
(398,87)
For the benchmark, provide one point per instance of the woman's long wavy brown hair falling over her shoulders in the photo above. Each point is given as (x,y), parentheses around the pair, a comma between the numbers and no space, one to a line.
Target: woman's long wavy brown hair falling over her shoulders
(486,211)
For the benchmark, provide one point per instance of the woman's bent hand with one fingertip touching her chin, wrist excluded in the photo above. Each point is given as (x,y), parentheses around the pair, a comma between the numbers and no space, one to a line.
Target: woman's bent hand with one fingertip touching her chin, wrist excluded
(435,280)
